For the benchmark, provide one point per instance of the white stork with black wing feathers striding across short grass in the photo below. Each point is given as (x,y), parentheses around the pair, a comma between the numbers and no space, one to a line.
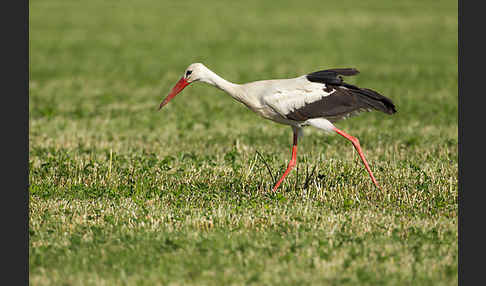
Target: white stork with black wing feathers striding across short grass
(317,99)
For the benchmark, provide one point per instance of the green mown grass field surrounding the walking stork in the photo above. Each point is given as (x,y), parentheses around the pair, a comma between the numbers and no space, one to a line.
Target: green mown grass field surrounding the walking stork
(121,194)
